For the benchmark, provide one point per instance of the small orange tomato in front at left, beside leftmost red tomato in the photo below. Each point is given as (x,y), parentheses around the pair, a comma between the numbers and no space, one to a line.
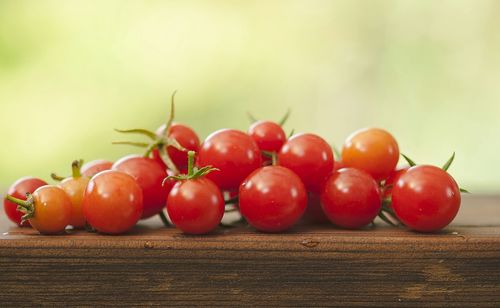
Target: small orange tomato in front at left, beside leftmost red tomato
(52,210)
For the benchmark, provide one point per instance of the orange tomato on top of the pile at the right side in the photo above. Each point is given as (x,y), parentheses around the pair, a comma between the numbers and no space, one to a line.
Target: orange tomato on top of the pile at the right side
(373,150)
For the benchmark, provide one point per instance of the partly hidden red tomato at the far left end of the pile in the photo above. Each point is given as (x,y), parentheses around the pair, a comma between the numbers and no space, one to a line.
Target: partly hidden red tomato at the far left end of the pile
(18,190)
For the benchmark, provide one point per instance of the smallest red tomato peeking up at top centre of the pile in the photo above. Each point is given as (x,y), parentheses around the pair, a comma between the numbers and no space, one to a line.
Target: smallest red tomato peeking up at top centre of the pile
(268,135)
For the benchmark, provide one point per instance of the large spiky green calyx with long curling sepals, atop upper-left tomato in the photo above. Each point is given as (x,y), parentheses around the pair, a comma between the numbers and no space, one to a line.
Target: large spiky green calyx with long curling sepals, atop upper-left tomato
(159,142)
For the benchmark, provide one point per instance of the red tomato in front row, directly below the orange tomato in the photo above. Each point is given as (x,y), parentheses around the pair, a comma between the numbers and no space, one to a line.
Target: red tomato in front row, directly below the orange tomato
(351,198)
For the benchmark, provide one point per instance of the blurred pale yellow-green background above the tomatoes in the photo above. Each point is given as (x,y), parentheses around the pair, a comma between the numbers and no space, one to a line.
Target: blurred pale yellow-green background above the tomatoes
(428,71)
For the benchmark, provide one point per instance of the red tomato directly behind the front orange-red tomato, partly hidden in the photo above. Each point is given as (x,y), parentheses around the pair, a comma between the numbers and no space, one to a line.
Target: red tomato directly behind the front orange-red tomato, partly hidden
(149,174)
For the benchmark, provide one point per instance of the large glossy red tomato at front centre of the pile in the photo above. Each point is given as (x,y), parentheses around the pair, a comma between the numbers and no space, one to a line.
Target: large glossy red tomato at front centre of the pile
(272,199)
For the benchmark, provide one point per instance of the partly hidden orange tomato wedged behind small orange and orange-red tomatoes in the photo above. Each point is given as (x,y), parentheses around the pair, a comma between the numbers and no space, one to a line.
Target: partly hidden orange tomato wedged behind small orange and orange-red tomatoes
(75,189)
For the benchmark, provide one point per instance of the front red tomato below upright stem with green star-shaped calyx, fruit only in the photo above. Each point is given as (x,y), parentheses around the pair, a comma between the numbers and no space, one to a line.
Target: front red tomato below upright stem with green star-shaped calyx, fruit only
(195,206)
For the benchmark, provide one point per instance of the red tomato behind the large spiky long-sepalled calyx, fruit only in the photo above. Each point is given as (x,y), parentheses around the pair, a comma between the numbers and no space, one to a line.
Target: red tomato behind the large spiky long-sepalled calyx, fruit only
(186,137)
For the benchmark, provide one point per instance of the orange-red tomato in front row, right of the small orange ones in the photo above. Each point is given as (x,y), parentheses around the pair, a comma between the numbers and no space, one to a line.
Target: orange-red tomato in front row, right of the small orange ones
(112,202)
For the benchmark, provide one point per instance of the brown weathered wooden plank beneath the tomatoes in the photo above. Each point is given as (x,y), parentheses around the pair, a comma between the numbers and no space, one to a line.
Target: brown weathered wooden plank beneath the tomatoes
(310,266)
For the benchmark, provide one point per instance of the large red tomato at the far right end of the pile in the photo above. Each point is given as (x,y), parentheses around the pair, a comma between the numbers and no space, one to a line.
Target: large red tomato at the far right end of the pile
(426,198)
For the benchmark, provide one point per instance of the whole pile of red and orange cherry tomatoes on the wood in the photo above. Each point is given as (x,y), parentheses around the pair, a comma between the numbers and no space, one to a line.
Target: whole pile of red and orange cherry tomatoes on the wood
(273,180)
